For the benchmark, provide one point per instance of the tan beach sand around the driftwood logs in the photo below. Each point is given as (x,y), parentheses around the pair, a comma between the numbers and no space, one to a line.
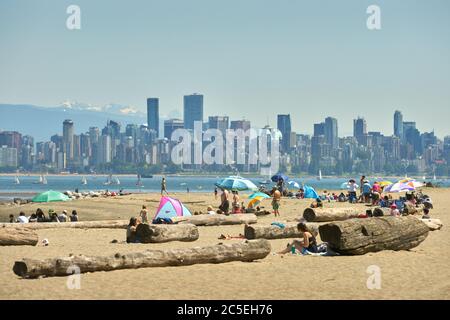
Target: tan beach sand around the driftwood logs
(421,273)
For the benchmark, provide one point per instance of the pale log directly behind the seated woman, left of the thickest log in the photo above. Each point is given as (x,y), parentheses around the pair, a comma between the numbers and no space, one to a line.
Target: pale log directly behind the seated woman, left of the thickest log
(274,232)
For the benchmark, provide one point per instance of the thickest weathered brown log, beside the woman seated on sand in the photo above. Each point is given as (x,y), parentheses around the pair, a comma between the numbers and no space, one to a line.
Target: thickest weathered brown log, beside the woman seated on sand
(359,236)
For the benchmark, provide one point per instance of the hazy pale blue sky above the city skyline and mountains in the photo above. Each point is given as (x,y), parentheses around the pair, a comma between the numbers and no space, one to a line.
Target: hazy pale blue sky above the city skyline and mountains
(250,58)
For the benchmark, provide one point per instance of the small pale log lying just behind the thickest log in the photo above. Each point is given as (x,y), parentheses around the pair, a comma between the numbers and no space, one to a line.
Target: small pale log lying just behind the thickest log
(331,214)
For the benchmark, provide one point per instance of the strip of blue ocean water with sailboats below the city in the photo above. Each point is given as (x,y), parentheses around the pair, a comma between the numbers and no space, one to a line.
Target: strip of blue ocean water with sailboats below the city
(28,187)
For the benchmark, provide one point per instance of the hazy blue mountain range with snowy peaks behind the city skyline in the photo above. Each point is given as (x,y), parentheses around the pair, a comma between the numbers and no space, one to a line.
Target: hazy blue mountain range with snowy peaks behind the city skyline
(43,122)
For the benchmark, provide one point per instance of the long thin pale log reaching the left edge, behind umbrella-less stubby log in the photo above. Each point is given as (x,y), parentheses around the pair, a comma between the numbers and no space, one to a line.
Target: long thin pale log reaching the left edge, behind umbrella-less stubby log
(106,224)
